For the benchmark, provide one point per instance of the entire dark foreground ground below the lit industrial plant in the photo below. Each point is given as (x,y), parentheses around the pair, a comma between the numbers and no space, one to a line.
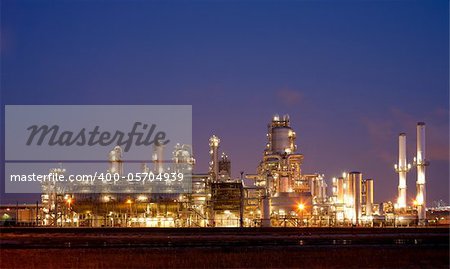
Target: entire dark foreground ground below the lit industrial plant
(225,248)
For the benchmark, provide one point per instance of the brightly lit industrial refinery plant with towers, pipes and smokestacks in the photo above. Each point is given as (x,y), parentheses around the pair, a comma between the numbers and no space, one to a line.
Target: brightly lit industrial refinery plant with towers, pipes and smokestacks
(279,194)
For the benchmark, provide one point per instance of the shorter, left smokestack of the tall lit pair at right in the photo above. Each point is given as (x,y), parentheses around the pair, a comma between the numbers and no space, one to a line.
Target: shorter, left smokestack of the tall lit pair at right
(402,168)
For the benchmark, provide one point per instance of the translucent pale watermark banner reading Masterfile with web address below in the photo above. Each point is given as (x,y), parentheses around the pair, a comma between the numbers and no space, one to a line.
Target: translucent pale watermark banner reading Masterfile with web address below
(96,149)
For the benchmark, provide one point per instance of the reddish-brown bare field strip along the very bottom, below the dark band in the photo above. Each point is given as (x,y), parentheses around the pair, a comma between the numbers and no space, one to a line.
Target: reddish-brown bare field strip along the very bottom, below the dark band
(281,257)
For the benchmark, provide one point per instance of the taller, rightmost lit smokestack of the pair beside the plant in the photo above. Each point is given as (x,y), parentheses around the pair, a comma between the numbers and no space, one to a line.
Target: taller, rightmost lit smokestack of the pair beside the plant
(421,163)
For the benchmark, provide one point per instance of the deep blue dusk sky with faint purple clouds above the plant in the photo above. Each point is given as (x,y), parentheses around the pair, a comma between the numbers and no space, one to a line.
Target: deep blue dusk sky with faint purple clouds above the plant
(352,75)
